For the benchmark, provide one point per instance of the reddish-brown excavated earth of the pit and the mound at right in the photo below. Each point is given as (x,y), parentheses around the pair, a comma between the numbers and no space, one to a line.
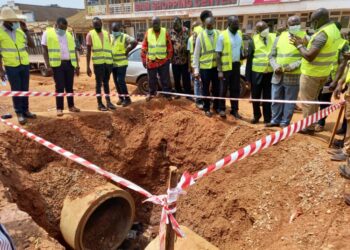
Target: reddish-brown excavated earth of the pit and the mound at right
(246,206)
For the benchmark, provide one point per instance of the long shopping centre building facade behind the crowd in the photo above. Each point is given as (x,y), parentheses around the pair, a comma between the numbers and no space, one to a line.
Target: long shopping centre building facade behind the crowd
(136,14)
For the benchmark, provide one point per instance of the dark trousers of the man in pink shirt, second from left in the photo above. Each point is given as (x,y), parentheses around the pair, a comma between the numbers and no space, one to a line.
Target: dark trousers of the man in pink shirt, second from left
(64,79)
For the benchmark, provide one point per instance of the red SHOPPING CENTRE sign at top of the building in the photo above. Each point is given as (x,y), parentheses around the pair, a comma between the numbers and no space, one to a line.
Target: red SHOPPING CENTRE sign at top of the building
(179,4)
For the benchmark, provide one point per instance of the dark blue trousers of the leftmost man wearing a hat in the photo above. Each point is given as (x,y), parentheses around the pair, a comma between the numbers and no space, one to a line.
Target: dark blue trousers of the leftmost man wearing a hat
(19,81)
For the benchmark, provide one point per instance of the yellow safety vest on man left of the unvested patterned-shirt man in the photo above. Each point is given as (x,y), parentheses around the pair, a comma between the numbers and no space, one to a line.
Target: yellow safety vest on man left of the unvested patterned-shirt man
(156,47)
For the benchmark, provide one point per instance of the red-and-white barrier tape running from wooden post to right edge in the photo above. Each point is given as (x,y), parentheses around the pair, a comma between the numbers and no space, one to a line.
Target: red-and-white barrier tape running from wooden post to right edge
(259,145)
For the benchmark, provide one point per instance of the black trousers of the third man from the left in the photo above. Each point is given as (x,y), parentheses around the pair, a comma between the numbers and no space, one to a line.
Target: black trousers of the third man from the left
(102,76)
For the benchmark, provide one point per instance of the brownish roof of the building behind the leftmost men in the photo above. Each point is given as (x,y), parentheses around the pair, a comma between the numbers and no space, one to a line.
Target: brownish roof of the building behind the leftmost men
(47,13)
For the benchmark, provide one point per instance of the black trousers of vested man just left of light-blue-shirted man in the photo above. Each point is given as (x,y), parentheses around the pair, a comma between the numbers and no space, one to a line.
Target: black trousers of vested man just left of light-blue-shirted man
(210,76)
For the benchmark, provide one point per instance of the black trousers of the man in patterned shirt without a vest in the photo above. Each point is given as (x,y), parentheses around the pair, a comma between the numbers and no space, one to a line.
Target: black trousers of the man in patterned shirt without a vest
(180,72)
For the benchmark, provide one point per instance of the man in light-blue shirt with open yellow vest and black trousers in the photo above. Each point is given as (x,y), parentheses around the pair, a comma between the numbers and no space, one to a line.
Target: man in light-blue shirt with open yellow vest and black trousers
(229,50)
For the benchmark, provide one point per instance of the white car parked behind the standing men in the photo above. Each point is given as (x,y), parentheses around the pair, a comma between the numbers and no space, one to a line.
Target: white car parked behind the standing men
(137,74)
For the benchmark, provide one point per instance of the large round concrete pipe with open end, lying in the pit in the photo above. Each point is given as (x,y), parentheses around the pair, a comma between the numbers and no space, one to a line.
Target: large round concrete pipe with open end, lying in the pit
(99,220)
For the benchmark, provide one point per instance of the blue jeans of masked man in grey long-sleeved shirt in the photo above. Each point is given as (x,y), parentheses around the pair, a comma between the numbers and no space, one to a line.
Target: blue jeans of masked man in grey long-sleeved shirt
(282,113)
